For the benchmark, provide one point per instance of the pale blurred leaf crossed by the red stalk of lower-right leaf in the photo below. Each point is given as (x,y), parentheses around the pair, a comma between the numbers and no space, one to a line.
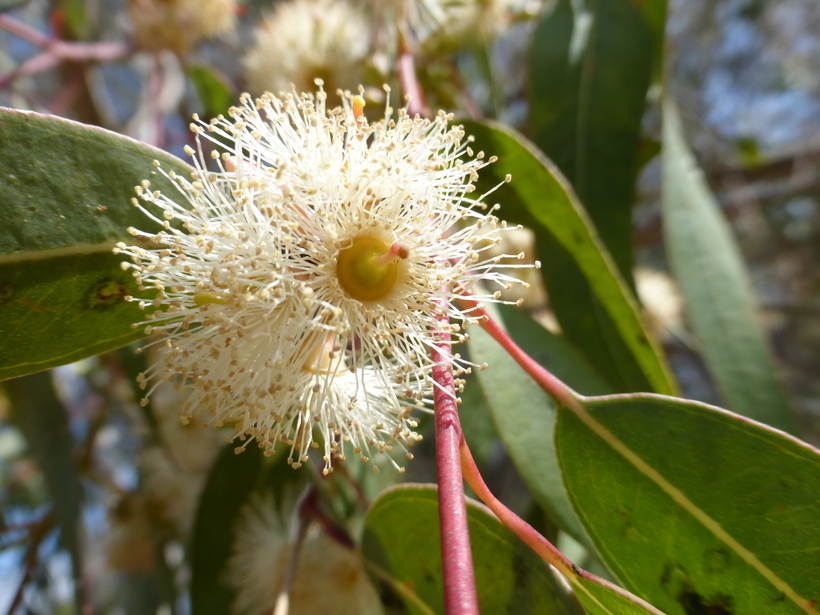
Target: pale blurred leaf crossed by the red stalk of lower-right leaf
(524,414)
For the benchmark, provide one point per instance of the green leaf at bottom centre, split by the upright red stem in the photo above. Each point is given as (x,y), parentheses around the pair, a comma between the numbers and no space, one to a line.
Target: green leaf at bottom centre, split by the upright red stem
(401,537)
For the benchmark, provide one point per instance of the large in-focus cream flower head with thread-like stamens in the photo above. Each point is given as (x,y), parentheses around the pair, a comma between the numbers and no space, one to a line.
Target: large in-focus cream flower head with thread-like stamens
(300,285)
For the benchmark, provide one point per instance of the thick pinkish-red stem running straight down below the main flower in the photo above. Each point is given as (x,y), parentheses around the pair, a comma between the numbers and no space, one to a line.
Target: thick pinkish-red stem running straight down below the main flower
(460,596)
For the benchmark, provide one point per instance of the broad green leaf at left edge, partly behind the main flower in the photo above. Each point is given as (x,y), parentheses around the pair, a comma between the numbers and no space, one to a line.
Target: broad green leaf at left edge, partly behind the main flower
(65,197)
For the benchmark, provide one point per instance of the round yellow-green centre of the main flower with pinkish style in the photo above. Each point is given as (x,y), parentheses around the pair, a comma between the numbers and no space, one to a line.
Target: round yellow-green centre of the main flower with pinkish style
(369,269)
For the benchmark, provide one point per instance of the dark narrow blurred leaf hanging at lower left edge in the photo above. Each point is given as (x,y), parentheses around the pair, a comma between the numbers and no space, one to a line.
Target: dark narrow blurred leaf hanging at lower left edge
(44,422)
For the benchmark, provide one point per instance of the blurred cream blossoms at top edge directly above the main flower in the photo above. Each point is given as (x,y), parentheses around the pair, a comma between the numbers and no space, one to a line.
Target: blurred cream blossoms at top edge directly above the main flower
(347,41)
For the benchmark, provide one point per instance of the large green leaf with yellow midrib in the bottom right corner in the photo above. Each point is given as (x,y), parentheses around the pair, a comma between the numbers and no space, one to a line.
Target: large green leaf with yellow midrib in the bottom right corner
(695,509)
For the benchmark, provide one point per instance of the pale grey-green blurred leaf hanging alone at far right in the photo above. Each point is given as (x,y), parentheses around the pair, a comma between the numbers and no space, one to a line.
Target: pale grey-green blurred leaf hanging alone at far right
(720,303)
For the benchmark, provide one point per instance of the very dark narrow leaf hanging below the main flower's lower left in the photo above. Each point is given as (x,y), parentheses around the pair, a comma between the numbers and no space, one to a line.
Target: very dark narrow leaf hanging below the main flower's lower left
(230,484)
